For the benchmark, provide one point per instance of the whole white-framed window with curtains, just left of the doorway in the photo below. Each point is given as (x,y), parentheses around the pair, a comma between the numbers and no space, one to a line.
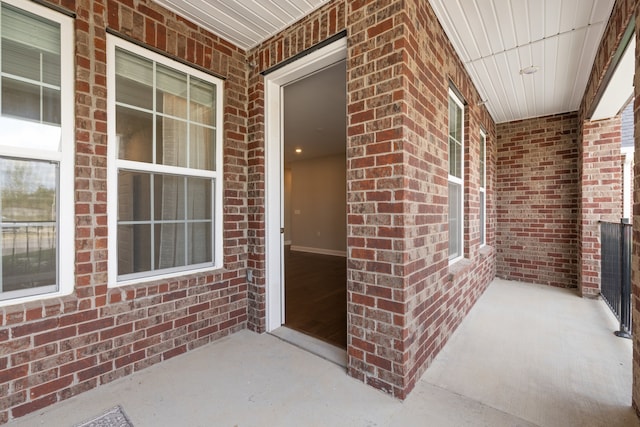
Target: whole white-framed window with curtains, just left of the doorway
(165,191)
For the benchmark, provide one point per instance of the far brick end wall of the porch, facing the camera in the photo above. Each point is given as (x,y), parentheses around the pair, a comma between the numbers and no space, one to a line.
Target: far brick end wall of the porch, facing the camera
(537,210)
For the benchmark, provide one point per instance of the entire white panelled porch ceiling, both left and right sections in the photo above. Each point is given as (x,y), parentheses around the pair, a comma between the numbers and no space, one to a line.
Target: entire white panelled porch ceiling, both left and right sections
(495,39)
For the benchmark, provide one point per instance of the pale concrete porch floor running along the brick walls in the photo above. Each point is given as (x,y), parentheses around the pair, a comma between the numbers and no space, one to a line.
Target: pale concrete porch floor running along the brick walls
(525,355)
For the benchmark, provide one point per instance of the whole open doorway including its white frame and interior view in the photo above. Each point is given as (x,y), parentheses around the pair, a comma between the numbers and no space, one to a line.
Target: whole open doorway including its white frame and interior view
(305,244)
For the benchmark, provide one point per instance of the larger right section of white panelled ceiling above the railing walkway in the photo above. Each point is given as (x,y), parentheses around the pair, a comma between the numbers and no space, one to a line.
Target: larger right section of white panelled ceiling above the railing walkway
(496,39)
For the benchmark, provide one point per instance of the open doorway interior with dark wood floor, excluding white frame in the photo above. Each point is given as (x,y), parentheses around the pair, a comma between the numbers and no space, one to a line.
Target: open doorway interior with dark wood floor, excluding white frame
(314,151)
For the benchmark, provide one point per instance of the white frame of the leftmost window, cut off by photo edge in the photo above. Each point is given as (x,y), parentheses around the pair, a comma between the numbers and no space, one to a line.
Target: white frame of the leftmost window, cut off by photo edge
(64,156)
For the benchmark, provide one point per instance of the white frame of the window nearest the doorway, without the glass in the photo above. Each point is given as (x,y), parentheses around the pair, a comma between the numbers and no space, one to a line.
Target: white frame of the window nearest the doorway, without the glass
(115,164)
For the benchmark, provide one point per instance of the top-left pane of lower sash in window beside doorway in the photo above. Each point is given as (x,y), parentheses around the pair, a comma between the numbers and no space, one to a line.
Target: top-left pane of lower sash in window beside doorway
(134,196)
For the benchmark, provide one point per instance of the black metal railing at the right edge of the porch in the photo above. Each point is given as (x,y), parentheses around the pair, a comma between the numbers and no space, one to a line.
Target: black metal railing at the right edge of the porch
(615,272)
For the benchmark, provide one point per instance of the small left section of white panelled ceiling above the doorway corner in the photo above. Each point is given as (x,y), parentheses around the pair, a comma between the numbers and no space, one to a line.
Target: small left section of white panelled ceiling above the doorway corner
(245,23)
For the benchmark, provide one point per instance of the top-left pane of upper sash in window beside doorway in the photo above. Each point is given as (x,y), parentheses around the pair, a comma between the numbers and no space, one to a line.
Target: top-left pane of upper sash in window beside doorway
(134,80)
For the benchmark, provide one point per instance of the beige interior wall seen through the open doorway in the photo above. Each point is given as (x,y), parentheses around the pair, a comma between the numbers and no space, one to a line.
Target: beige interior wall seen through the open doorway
(318,207)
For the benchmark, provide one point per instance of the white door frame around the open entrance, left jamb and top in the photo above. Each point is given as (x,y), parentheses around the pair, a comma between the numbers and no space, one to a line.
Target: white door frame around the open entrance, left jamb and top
(274,212)
